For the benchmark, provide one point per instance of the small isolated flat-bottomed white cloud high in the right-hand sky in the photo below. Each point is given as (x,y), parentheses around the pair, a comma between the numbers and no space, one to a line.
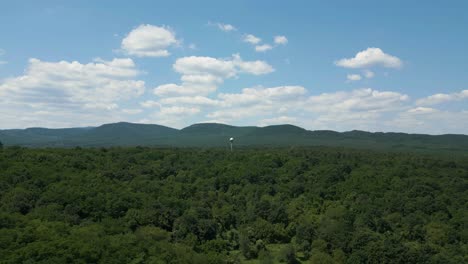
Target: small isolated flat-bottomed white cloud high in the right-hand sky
(370,57)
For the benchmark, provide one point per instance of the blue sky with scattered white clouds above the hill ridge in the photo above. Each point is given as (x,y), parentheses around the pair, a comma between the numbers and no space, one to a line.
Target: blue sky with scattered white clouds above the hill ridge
(339,65)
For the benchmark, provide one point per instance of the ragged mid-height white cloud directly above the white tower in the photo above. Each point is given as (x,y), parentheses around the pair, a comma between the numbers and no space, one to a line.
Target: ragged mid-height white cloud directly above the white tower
(202,75)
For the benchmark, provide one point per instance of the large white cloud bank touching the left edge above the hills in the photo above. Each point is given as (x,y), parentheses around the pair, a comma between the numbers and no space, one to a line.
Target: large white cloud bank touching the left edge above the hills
(79,92)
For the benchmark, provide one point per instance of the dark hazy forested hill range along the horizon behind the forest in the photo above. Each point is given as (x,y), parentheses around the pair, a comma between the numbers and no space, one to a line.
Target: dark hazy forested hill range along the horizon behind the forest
(216,135)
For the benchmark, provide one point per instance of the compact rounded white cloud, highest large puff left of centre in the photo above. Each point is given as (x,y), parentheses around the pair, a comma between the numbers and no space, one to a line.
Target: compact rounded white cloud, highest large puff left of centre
(149,41)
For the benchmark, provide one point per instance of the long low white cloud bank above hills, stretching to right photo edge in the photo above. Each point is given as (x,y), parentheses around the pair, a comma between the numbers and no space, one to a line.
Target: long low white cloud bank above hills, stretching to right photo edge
(364,109)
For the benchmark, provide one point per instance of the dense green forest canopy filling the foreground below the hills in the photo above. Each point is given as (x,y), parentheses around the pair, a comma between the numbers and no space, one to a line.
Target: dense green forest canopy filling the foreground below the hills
(268,205)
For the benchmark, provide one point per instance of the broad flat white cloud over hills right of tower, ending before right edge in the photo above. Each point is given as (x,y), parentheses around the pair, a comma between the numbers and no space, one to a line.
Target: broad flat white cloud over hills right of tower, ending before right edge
(342,110)
